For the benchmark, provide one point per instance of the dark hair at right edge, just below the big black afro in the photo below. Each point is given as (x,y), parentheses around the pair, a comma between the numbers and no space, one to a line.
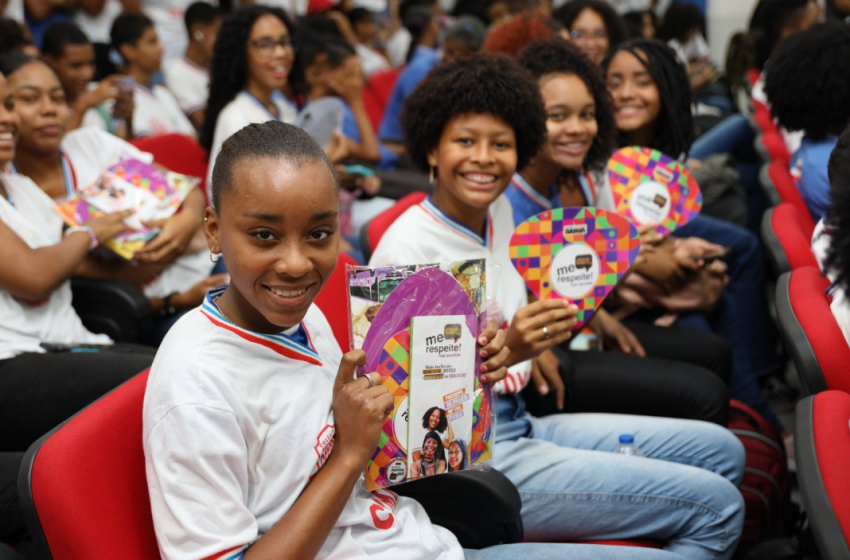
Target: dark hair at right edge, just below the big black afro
(838,258)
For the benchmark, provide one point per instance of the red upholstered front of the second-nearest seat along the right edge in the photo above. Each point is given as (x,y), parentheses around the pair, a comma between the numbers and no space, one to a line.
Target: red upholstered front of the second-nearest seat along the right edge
(810,304)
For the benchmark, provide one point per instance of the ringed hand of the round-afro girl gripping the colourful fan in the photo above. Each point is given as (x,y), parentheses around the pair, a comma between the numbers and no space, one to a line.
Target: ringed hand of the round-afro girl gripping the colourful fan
(539,326)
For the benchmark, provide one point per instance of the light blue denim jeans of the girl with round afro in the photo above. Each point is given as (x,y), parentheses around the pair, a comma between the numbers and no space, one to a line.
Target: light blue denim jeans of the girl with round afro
(682,493)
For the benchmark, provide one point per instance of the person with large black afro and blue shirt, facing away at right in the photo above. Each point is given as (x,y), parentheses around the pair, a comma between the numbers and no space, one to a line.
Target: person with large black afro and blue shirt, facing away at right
(807,86)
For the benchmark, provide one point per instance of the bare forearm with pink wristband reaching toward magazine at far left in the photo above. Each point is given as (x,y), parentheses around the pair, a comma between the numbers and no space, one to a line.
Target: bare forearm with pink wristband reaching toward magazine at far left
(38,272)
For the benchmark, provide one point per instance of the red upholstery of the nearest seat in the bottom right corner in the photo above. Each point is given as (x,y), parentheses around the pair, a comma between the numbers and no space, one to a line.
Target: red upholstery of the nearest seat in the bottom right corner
(830,417)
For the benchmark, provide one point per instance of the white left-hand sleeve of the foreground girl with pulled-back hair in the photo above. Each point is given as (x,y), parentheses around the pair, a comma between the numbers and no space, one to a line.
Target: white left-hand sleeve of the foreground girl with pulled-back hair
(196,463)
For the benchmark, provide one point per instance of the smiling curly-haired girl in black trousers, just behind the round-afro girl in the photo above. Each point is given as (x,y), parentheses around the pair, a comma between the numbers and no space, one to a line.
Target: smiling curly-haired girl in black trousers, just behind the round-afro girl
(570,171)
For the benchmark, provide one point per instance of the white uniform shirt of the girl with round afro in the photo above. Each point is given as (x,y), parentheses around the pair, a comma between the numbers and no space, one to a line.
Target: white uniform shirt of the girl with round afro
(424,234)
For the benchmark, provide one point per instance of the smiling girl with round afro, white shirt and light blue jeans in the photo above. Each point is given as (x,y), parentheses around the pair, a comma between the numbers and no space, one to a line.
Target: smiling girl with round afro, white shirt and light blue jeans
(472,124)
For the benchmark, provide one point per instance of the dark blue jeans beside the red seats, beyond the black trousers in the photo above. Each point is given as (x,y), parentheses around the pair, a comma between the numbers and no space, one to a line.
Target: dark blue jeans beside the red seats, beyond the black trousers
(741,316)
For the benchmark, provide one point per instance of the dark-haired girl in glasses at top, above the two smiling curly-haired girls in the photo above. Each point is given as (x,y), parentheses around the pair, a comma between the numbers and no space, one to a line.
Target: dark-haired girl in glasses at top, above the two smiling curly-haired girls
(593,25)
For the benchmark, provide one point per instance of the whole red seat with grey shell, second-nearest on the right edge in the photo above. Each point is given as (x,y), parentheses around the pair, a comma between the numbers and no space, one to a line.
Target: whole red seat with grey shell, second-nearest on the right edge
(811,334)
